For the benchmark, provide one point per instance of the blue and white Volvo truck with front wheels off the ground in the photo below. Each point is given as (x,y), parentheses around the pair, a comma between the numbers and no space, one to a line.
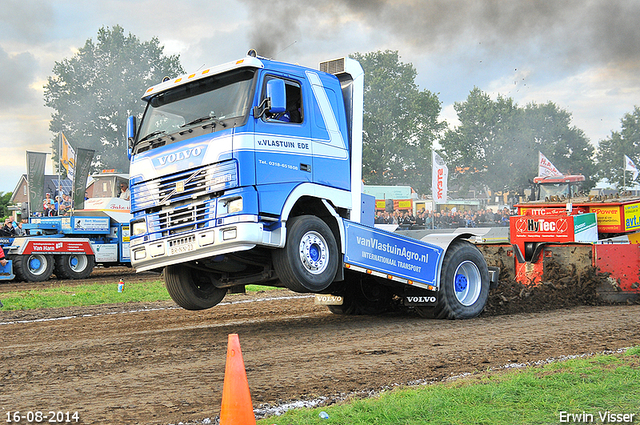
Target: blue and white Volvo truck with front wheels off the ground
(250,173)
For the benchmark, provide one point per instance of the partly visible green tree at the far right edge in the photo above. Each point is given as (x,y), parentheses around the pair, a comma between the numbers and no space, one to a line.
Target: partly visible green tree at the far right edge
(611,150)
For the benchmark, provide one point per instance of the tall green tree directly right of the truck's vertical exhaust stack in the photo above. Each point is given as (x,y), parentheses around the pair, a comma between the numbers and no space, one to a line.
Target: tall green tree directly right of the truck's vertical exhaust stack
(400,123)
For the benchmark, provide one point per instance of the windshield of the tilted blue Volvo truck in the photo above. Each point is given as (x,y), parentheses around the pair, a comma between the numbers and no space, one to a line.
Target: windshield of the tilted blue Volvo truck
(206,101)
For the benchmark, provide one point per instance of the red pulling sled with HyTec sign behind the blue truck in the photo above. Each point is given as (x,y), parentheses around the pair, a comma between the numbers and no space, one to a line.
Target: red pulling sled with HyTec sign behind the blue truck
(564,232)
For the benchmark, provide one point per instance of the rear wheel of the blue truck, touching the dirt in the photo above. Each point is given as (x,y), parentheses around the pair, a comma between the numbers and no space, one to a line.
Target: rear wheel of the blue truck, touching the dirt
(464,283)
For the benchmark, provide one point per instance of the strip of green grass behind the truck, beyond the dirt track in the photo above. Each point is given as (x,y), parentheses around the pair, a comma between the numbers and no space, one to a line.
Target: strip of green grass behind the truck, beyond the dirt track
(90,294)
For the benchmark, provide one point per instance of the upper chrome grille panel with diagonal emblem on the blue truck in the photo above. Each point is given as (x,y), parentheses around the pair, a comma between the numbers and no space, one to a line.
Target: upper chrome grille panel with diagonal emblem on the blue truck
(184,185)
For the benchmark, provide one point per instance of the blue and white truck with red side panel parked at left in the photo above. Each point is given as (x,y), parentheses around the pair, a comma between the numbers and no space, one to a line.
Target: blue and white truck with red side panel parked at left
(71,246)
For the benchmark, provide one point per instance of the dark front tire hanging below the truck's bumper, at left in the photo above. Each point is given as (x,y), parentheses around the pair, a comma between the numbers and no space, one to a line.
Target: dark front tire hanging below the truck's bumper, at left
(191,289)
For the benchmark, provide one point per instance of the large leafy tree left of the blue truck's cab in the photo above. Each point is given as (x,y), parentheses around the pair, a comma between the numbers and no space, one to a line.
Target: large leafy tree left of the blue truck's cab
(93,92)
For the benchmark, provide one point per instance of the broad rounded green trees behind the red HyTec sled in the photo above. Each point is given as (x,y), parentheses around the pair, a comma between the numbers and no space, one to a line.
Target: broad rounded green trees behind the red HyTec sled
(497,142)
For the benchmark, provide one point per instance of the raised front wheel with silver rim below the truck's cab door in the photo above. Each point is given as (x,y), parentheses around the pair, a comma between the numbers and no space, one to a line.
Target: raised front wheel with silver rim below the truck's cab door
(309,260)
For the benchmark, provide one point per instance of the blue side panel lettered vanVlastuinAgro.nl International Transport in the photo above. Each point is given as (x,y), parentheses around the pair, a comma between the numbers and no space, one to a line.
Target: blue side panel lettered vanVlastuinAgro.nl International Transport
(373,249)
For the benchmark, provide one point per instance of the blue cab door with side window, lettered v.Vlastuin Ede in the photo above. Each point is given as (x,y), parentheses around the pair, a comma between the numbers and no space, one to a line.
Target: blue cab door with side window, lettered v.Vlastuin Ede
(282,141)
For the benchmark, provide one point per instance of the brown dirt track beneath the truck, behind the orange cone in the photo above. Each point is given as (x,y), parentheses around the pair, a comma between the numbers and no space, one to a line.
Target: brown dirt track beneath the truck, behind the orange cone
(165,366)
